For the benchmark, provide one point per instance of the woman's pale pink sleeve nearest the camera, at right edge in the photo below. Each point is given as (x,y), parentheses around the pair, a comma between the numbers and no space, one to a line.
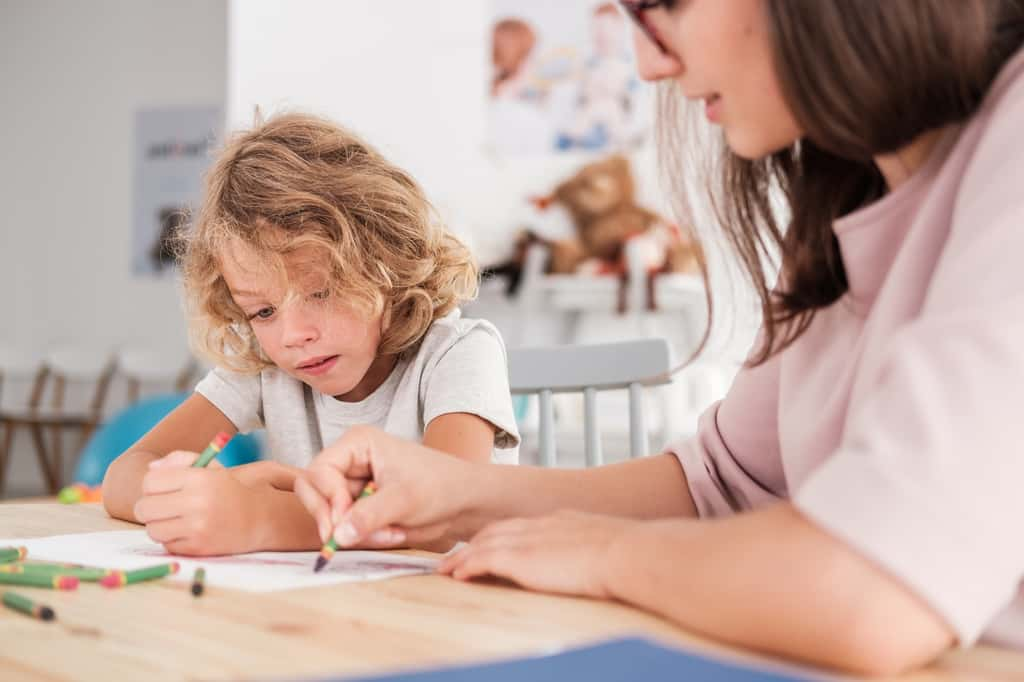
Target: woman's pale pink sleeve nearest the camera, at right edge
(929,478)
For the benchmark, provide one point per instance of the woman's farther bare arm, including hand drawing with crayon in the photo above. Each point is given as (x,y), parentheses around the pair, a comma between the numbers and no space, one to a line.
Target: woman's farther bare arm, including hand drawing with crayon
(428,495)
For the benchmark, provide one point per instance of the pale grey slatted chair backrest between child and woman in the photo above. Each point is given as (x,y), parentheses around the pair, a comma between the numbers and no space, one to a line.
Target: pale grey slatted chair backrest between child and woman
(589,369)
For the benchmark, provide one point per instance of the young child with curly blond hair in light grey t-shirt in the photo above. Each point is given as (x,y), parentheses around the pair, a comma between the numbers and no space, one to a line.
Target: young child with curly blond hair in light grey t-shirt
(326,294)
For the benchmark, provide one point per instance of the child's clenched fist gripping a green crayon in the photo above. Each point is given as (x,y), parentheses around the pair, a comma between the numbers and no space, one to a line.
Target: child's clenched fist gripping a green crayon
(199,513)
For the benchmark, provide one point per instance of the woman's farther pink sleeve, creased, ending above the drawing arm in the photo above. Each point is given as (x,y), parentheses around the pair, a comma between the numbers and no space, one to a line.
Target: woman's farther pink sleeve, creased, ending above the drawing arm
(734,462)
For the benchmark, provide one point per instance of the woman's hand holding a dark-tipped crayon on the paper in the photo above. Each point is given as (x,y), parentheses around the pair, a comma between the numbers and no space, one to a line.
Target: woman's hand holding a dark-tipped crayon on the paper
(420,491)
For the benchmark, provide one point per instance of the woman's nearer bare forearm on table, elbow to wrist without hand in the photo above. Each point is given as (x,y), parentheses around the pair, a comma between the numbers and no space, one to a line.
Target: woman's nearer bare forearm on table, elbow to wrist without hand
(739,579)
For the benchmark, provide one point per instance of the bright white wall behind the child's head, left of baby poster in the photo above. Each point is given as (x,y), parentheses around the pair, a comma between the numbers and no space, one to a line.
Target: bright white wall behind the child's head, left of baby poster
(412,77)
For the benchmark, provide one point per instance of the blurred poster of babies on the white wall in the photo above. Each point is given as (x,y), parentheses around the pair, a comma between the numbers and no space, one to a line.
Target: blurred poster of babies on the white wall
(564,79)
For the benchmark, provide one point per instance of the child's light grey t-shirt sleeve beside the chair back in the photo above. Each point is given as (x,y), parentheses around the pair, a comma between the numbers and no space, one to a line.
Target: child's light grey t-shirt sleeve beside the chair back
(473,377)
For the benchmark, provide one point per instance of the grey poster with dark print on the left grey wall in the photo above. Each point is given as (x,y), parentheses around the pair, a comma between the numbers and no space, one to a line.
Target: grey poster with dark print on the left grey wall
(173,152)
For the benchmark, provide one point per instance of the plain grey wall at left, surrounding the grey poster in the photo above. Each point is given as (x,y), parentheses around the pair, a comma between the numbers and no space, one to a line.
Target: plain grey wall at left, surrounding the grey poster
(72,75)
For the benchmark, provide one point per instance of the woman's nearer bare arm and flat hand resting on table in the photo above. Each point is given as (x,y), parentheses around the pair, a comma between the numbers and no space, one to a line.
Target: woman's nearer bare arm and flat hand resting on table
(769,580)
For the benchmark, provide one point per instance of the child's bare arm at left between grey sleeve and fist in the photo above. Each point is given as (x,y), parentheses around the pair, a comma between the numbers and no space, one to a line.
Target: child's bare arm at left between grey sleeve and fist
(190,429)
